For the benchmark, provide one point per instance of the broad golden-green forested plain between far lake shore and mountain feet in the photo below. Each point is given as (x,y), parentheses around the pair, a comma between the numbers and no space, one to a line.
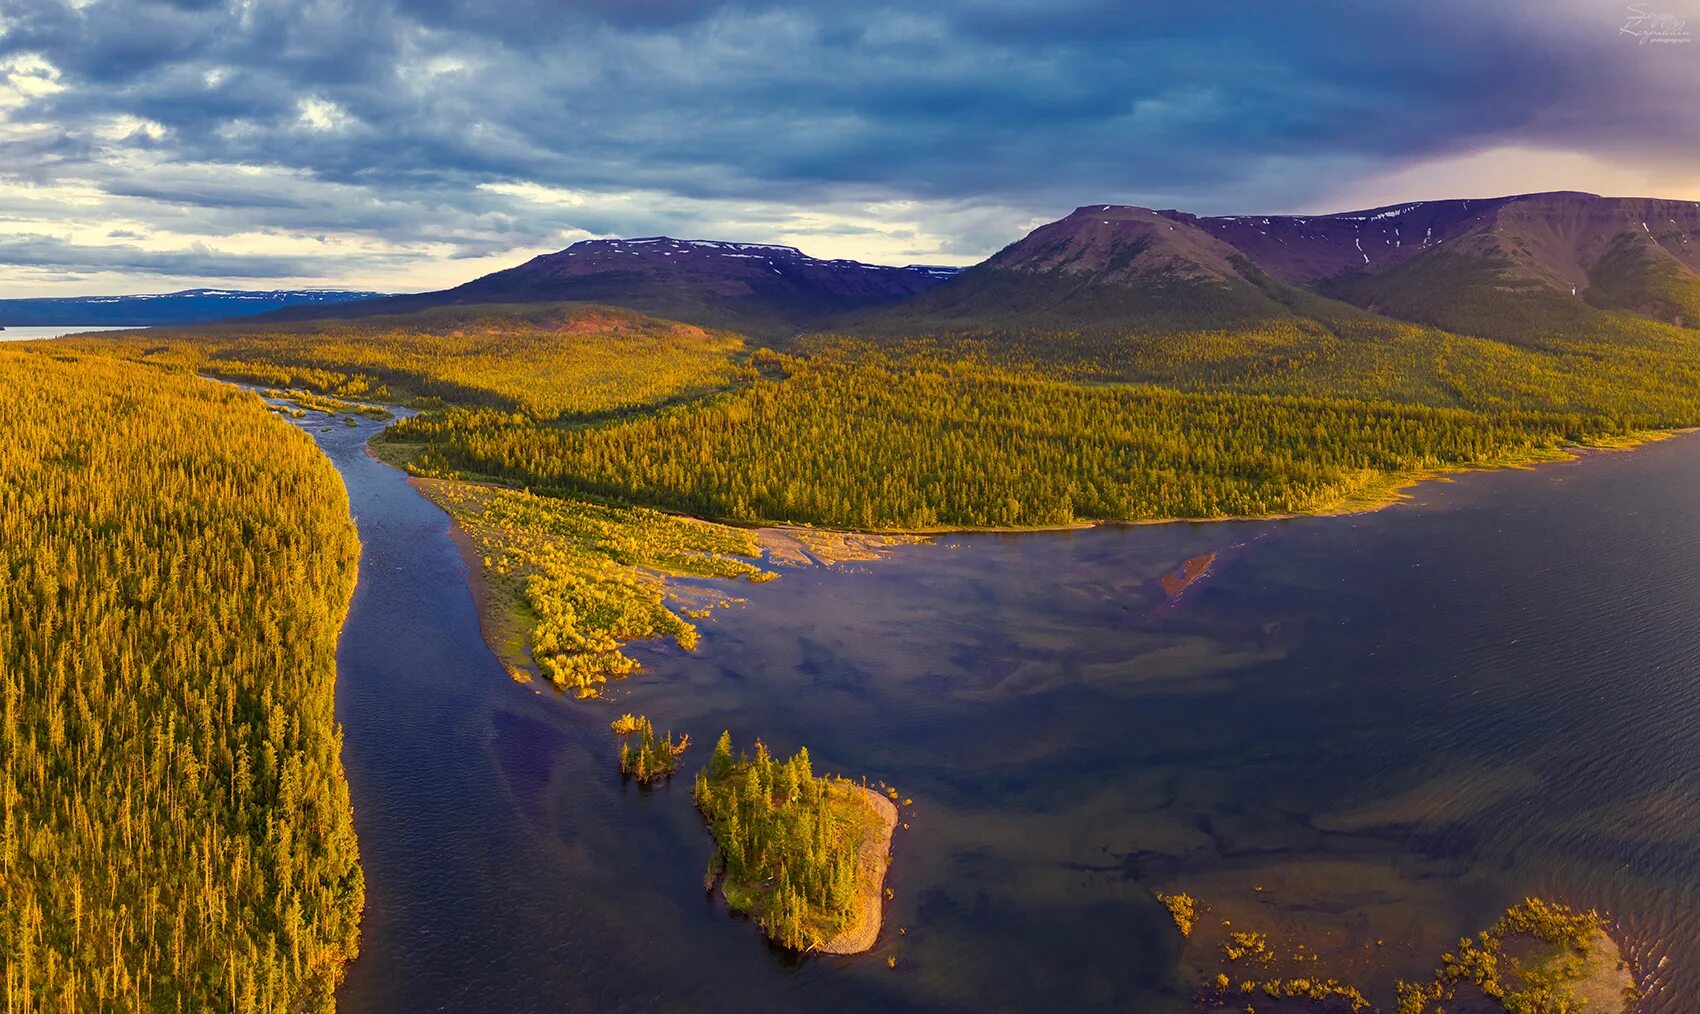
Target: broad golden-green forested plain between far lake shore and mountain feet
(1009,430)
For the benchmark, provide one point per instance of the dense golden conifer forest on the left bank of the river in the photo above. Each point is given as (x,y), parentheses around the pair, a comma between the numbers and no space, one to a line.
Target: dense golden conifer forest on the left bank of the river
(174,573)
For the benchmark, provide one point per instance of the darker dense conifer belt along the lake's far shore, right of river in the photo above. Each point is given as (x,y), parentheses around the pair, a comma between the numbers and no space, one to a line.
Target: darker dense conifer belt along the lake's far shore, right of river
(917,445)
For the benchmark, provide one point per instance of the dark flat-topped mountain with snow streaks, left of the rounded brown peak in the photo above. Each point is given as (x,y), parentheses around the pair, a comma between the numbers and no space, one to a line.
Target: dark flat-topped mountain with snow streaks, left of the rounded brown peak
(757,288)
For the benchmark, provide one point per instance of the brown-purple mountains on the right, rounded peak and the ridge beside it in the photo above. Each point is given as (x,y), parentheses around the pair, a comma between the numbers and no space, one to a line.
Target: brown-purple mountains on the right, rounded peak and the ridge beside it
(1509,268)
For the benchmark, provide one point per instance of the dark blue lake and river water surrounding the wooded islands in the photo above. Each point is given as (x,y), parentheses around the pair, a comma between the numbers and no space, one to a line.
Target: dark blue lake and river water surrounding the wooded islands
(1393,724)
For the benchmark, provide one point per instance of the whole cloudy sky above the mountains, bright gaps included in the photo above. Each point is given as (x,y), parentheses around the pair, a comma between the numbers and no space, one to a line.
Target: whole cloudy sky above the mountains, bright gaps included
(405,145)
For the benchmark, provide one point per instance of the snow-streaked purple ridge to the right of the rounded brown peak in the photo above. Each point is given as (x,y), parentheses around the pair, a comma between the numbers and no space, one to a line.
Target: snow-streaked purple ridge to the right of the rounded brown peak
(1526,268)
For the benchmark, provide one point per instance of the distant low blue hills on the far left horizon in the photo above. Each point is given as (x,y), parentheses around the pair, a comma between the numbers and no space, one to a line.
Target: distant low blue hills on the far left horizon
(186,307)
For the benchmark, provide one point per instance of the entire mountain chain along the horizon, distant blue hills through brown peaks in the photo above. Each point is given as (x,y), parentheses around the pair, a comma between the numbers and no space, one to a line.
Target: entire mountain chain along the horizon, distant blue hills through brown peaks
(1521,270)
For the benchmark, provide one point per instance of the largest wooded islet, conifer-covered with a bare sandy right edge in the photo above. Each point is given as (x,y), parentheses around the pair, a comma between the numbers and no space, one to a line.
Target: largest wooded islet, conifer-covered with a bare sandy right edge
(807,857)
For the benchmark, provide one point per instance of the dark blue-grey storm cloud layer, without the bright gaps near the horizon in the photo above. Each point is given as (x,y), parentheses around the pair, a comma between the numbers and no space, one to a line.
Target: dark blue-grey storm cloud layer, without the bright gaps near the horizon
(409,105)
